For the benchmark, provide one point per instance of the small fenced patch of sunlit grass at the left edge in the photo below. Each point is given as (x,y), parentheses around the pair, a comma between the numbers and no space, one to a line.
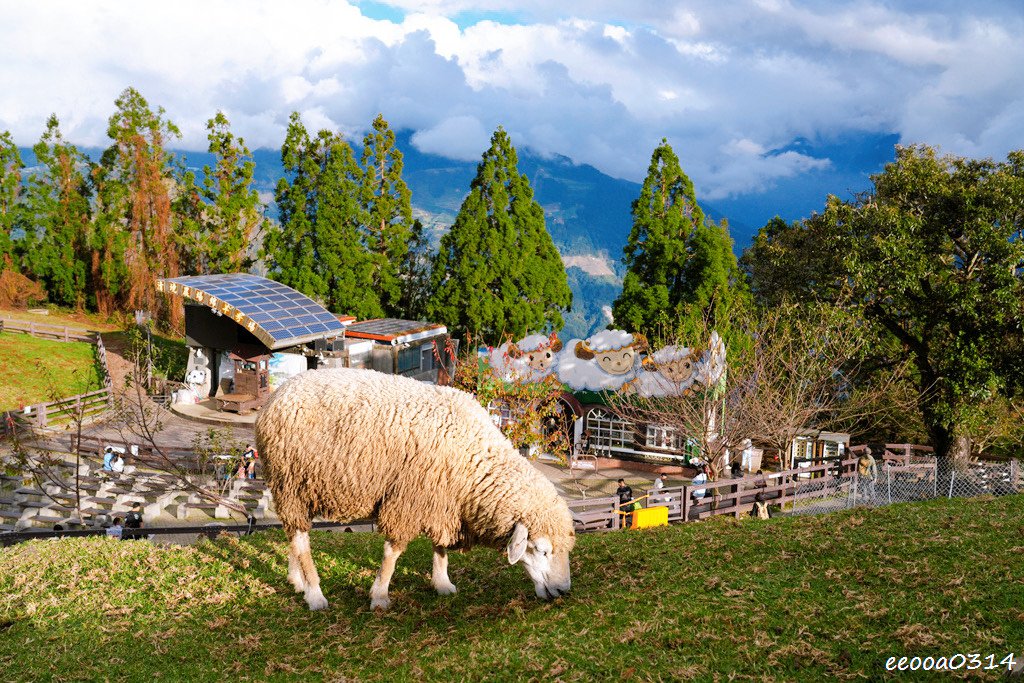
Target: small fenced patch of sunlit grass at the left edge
(68,369)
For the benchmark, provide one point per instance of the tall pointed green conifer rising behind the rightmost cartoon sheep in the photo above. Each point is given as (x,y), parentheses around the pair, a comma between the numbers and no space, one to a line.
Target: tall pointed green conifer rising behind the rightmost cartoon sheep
(665,217)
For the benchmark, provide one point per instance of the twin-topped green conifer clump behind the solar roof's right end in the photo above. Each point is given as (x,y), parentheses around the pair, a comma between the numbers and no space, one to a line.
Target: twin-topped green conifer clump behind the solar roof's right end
(318,247)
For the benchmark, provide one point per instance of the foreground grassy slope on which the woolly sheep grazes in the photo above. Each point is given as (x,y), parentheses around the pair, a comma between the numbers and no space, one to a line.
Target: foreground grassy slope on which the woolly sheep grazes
(787,600)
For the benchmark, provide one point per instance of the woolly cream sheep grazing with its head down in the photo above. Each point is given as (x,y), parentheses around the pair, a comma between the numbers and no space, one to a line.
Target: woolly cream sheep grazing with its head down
(348,444)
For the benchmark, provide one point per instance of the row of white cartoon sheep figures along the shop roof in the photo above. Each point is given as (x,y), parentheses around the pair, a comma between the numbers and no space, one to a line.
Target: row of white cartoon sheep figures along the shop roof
(613,361)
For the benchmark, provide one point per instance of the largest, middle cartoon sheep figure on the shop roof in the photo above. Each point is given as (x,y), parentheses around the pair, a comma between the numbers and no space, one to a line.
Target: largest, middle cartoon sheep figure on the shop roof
(605,362)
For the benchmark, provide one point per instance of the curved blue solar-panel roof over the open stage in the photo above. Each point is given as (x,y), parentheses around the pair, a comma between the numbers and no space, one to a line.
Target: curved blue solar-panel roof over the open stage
(276,314)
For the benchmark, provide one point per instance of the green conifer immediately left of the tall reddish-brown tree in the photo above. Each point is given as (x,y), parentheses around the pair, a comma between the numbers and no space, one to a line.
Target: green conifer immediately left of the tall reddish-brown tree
(59,204)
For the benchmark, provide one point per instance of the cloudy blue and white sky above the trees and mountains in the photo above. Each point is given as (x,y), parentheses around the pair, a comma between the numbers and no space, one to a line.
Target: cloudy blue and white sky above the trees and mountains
(759,98)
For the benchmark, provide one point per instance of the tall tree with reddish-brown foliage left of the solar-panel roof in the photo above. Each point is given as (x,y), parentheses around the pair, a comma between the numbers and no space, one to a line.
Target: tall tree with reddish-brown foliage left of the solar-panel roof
(136,240)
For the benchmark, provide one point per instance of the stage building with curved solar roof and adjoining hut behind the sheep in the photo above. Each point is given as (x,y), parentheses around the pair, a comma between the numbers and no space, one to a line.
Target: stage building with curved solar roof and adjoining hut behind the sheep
(240,323)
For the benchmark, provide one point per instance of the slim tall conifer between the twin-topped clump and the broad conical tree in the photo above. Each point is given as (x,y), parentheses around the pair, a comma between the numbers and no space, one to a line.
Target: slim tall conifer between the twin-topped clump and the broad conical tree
(385,199)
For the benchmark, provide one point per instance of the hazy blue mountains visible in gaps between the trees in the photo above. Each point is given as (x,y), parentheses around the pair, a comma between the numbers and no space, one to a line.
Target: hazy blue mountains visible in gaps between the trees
(588,212)
